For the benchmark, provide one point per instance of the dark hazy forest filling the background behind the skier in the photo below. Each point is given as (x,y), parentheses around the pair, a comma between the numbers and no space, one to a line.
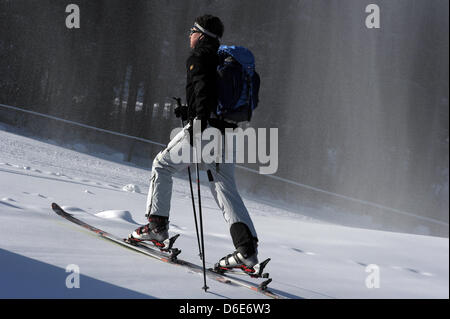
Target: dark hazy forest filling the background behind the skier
(361,113)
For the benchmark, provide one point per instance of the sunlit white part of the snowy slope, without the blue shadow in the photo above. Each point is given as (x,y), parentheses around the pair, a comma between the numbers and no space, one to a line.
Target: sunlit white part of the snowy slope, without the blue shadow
(309,259)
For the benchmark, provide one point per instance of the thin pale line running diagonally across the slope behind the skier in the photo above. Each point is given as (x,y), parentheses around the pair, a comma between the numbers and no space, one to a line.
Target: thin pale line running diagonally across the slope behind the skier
(431,220)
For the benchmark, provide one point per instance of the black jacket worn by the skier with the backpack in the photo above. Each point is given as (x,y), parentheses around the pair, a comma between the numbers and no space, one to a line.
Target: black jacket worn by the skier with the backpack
(201,87)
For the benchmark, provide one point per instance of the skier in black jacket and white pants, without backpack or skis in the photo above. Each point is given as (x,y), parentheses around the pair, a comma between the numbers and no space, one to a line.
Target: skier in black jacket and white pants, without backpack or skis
(202,99)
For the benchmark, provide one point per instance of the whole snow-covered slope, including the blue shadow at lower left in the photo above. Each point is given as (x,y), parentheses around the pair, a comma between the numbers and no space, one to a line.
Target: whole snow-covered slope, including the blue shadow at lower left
(310,258)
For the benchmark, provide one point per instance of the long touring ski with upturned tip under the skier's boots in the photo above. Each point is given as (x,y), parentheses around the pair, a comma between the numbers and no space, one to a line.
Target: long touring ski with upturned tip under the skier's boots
(170,256)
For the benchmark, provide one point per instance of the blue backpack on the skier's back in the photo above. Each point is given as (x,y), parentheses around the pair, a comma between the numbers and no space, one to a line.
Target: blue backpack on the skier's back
(238,84)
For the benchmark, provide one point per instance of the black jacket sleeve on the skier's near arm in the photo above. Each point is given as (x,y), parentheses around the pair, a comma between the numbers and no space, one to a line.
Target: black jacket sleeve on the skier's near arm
(203,85)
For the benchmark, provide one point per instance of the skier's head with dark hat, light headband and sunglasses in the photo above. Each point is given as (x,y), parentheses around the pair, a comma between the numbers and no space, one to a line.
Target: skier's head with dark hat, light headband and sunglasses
(206,26)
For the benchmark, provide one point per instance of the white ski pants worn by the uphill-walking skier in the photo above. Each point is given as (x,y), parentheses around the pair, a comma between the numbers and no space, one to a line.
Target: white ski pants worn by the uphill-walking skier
(223,185)
